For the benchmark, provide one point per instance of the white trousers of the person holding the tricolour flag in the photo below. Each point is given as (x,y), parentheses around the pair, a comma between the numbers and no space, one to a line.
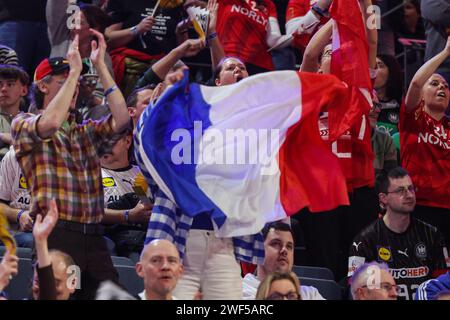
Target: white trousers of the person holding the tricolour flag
(209,266)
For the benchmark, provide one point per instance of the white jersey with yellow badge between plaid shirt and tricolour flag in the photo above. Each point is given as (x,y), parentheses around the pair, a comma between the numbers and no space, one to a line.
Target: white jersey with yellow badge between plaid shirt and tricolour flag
(116,183)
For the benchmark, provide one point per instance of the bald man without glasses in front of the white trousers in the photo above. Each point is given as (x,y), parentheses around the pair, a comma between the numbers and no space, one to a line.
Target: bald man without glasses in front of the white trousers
(160,267)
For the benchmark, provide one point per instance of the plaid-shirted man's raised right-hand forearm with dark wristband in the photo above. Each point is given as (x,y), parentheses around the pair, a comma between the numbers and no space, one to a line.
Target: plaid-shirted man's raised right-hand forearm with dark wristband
(114,96)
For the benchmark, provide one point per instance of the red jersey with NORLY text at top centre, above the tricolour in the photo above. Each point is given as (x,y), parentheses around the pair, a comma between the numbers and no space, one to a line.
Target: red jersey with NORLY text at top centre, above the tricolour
(241,27)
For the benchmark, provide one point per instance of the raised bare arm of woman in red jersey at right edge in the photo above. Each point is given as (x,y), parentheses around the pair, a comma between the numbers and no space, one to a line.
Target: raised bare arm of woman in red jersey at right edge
(414,94)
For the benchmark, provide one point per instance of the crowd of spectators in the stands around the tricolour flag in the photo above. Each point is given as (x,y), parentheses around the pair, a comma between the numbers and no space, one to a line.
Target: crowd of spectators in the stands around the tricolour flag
(76,76)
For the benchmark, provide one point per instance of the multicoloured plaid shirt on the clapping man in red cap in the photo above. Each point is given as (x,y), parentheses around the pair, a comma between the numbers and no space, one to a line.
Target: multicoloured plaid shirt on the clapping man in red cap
(65,167)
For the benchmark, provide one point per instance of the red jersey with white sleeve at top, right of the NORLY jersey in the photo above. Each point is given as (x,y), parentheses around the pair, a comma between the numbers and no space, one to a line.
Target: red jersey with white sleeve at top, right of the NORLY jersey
(299,8)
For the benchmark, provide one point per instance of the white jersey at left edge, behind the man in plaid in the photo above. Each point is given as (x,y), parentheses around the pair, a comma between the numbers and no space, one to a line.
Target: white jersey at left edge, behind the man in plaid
(13,187)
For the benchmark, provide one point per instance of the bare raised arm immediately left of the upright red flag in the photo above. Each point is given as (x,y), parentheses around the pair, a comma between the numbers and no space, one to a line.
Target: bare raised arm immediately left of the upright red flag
(315,48)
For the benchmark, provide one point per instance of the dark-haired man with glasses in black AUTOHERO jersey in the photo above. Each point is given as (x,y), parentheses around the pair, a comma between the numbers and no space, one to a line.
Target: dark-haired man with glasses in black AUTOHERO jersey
(413,250)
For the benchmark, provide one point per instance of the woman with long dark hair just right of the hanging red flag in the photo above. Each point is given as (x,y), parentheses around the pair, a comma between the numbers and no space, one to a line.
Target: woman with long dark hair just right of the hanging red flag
(389,87)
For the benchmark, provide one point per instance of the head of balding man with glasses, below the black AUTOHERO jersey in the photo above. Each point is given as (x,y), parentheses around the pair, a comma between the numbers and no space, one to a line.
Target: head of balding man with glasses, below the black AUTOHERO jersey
(373,281)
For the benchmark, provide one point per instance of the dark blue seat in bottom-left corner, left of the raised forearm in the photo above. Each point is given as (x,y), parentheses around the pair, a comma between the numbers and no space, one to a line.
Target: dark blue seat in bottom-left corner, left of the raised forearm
(20,286)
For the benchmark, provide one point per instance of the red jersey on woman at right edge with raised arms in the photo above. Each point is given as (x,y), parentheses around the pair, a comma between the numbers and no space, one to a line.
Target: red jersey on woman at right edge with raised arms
(425,153)
